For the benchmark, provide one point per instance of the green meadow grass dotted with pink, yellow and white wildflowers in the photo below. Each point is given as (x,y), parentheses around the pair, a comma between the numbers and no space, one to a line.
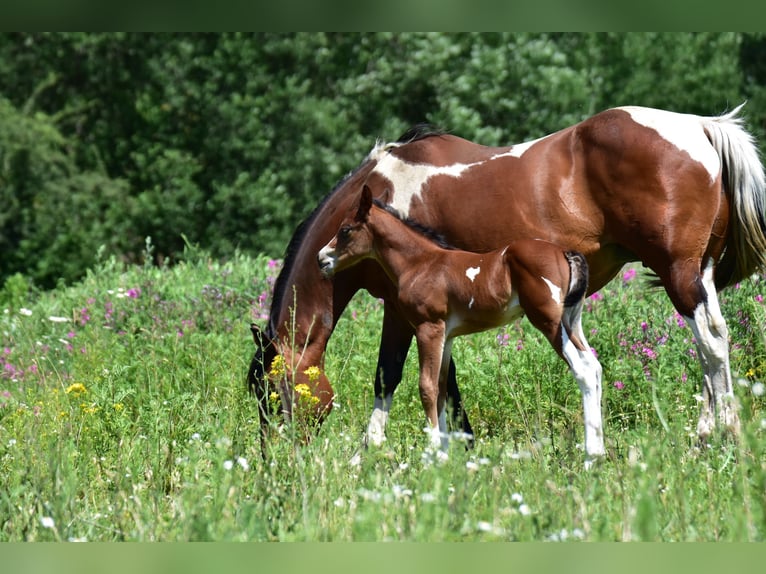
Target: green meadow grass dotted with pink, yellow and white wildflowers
(124,416)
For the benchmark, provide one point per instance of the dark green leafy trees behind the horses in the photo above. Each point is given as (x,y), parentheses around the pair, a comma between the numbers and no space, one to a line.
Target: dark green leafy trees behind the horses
(227,141)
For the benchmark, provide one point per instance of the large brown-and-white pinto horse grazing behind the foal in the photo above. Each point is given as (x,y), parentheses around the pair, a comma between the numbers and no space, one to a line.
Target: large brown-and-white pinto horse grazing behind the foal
(683,194)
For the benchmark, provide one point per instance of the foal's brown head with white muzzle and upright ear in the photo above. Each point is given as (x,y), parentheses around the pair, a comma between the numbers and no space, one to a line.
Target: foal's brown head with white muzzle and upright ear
(352,243)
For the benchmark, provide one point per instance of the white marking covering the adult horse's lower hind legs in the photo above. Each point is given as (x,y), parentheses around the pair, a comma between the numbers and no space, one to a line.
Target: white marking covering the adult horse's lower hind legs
(709,328)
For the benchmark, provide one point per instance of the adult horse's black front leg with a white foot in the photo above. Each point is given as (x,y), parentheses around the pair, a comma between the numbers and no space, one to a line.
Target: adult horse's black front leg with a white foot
(394,344)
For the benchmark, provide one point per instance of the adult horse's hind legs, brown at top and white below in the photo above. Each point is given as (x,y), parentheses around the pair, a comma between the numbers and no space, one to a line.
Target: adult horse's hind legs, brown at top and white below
(695,297)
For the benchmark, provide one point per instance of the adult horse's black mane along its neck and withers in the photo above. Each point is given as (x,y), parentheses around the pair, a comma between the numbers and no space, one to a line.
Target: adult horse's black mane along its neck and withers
(415,133)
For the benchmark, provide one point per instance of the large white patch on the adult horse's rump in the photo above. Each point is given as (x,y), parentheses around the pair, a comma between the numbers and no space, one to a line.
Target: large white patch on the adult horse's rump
(684,131)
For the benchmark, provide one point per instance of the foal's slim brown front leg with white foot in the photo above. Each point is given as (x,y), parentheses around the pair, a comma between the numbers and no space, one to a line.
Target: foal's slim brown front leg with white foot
(431,341)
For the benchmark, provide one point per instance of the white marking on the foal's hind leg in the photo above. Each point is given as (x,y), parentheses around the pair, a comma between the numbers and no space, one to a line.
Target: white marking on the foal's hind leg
(587,372)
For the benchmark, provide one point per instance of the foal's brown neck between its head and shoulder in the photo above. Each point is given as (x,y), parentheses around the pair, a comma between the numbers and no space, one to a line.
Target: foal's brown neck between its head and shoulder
(398,248)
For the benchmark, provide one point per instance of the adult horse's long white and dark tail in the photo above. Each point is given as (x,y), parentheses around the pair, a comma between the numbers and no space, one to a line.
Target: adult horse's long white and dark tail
(743,181)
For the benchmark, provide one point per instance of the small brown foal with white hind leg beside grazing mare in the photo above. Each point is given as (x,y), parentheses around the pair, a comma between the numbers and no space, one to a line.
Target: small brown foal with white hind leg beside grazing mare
(446,292)
